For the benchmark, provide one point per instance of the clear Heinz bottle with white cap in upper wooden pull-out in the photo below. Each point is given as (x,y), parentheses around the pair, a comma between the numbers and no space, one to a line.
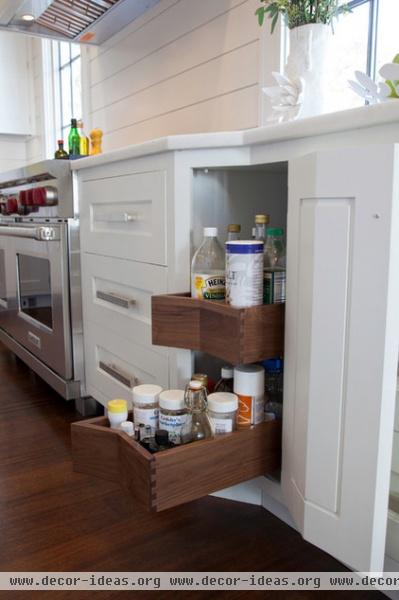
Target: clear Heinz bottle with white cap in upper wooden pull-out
(208,280)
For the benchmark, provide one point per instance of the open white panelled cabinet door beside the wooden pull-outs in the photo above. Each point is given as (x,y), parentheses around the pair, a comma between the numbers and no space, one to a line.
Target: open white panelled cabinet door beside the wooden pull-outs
(342,332)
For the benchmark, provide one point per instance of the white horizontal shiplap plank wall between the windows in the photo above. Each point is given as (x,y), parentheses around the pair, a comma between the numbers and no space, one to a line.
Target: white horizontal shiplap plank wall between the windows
(185,66)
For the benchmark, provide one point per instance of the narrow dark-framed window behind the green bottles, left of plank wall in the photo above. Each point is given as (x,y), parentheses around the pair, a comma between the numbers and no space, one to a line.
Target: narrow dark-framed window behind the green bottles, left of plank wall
(67,85)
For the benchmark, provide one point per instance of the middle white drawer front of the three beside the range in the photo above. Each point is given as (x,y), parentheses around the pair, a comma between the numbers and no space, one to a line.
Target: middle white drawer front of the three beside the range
(118,293)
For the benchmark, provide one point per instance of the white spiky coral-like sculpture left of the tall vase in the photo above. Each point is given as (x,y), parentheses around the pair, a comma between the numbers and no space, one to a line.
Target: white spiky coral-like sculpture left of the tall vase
(286,96)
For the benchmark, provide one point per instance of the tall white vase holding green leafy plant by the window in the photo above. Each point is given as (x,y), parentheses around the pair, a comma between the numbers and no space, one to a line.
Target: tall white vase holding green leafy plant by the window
(307,60)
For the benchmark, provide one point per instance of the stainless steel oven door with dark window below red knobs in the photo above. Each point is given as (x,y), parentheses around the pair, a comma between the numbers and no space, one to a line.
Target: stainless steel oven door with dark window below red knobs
(35,310)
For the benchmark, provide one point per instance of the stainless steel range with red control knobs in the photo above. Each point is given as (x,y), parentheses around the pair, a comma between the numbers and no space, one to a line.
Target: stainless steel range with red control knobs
(40,290)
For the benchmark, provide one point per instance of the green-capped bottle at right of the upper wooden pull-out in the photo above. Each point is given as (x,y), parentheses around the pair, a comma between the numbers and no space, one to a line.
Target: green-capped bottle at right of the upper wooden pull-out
(274,271)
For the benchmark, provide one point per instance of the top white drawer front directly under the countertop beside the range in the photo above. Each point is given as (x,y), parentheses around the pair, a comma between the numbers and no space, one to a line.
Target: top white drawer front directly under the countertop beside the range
(125,216)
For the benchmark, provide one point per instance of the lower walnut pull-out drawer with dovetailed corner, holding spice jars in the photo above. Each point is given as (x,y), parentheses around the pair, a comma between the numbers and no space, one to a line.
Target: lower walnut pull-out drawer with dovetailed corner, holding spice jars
(172,477)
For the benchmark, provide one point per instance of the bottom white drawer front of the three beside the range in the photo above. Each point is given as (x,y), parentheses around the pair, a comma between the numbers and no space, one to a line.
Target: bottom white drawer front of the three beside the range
(115,365)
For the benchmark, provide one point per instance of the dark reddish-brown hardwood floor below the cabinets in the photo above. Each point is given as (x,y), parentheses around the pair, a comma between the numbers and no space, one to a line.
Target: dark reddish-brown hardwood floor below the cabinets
(52,519)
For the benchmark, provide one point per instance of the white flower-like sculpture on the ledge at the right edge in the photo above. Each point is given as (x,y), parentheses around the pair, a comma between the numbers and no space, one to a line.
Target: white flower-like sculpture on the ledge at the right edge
(366,88)
